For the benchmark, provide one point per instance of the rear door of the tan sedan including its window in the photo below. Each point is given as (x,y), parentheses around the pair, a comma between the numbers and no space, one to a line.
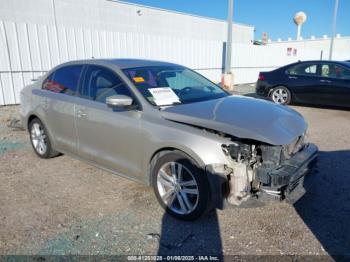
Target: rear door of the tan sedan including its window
(61,89)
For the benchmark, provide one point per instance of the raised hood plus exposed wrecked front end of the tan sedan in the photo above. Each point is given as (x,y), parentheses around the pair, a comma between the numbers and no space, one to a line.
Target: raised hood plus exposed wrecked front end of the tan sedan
(267,157)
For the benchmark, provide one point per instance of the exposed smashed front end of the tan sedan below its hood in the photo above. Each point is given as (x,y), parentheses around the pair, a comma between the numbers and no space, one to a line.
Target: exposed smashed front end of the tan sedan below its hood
(261,172)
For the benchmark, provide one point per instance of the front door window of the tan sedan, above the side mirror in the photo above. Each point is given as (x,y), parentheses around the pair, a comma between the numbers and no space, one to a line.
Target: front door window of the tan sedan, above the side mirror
(101,83)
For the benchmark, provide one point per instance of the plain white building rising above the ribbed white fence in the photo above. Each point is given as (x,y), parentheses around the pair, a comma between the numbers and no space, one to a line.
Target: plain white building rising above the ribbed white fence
(106,15)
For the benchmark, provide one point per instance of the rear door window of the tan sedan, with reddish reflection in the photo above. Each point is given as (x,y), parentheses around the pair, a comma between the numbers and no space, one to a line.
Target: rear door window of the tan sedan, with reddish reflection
(64,80)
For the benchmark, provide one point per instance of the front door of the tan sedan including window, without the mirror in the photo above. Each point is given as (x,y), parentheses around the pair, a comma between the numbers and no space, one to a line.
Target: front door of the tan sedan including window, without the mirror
(106,136)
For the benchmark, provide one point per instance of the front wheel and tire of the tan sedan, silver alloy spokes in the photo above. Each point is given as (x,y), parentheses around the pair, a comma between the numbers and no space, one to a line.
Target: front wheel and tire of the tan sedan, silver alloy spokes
(180,186)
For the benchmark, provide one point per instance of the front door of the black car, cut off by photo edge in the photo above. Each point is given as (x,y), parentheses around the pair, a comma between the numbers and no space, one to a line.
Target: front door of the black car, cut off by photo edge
(335,84)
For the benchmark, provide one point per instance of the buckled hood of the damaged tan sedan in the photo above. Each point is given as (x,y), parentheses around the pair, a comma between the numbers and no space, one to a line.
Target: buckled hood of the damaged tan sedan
(242,117)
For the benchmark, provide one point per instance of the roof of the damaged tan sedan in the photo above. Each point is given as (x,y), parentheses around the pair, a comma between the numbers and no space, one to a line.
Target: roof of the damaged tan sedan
(124,63)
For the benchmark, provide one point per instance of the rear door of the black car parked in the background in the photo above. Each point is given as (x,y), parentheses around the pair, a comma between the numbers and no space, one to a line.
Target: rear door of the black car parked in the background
(303,80)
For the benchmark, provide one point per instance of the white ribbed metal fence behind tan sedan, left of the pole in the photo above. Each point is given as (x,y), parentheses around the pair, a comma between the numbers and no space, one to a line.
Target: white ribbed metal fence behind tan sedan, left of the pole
(28,50)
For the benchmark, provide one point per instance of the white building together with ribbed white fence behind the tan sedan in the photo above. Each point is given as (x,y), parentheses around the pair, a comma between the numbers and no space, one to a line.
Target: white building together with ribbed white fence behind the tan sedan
(36,35)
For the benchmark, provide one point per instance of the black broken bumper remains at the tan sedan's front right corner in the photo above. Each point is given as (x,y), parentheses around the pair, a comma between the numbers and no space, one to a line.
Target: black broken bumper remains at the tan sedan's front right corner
(286,181)
